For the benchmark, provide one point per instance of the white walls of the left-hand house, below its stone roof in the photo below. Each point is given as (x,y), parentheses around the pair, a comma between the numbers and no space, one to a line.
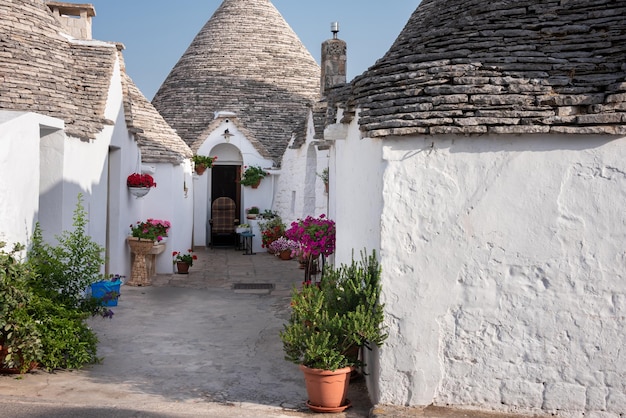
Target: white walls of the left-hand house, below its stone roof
(36,151)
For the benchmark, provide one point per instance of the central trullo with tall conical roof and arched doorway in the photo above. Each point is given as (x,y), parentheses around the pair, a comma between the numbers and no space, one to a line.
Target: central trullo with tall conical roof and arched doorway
(246,99)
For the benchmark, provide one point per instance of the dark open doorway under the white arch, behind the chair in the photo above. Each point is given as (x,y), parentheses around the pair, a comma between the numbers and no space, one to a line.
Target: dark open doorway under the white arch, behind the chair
(225,184)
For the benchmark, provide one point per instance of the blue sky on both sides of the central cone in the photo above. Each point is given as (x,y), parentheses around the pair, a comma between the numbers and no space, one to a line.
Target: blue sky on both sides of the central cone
(156,33)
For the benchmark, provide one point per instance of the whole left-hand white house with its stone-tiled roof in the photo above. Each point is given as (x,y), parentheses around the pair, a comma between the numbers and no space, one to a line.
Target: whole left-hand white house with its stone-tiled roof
(72,121)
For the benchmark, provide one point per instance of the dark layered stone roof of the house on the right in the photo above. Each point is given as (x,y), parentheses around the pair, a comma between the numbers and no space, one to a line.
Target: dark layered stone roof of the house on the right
(500,66)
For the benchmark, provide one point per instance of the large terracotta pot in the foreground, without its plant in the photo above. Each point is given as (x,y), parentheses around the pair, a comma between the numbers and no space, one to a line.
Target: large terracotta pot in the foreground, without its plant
(327,389)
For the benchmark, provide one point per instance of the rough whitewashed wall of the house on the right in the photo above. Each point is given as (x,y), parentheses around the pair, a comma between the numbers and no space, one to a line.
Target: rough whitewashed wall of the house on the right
(502,262)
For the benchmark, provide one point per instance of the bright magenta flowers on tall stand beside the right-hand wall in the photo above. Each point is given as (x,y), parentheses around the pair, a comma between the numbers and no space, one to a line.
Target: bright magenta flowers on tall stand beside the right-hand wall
(316,237)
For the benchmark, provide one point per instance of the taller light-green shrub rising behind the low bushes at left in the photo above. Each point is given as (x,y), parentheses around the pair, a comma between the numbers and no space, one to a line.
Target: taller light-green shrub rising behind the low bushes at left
(66,270)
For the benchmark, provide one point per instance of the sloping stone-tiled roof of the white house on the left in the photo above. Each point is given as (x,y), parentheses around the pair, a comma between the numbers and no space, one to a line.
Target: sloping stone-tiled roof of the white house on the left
(44,71)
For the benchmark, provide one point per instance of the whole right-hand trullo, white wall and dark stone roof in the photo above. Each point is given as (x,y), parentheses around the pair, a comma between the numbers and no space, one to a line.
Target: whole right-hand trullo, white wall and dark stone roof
(484,157)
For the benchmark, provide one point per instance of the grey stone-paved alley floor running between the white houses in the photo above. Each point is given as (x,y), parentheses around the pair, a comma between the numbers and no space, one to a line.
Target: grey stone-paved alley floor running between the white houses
(193,344)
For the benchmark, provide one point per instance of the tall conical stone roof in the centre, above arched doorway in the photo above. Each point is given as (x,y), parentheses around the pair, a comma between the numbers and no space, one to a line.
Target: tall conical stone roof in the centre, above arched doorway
(247,60)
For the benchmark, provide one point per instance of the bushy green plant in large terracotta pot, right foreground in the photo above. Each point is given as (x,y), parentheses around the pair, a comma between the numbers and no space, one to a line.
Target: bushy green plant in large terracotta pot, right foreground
(329,322)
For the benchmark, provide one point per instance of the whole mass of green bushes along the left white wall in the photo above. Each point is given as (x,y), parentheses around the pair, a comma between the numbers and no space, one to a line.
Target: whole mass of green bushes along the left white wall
(43,305)
